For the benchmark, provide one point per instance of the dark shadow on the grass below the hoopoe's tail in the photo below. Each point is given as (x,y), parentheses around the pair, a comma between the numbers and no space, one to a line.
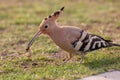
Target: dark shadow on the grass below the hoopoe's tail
(102,63)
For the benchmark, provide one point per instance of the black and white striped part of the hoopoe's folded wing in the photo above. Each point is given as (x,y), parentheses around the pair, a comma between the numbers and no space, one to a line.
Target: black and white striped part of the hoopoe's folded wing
(89,42)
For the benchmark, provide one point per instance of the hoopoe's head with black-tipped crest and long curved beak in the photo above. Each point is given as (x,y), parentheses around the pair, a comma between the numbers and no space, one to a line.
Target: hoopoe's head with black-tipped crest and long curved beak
(46,26)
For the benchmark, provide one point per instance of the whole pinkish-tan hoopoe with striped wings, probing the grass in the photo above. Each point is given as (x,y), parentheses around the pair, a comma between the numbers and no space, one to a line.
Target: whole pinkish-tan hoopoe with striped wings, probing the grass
(70,38)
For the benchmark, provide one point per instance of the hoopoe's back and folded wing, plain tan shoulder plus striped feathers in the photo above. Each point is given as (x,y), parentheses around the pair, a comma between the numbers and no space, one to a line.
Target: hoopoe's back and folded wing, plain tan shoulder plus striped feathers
(82,41)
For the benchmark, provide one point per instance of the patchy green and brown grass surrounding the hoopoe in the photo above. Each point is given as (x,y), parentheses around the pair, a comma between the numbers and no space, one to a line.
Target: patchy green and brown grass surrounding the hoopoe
(19,20)
